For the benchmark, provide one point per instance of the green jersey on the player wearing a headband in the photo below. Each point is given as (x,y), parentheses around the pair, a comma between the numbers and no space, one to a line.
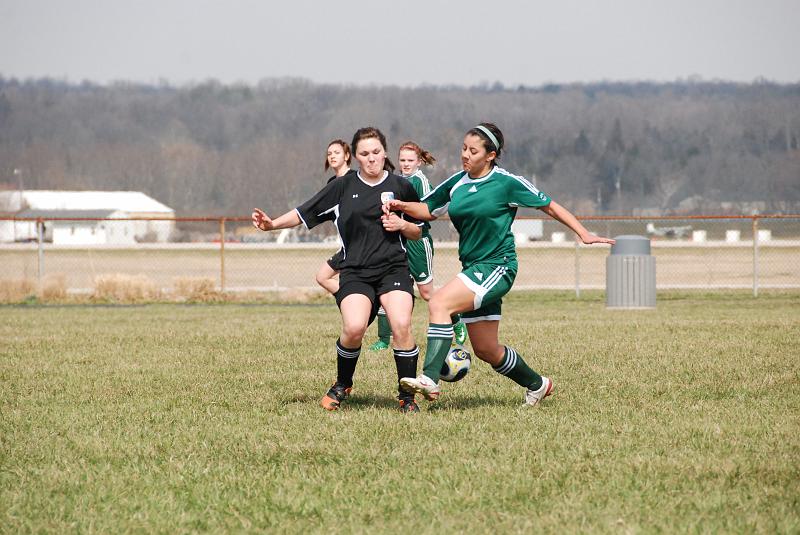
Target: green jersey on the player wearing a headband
(482,210)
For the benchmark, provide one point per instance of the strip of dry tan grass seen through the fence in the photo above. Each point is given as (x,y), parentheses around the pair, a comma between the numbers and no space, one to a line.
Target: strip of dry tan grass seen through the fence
(540,266)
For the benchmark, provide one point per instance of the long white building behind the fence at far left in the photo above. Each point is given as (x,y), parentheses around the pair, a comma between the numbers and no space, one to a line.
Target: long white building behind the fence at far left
(81,217)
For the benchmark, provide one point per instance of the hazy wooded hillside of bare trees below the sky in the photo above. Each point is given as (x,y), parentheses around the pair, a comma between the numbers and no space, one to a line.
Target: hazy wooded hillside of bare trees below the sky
(214,149)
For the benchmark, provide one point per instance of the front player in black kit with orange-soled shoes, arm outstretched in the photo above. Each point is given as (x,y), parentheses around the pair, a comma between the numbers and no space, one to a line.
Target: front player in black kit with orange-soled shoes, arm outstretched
(374,268)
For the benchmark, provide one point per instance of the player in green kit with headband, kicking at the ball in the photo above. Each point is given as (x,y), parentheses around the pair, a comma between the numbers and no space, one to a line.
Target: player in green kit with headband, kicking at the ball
(482,201)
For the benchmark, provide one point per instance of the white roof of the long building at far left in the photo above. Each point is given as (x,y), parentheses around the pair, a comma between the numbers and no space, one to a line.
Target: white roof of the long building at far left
(131,202)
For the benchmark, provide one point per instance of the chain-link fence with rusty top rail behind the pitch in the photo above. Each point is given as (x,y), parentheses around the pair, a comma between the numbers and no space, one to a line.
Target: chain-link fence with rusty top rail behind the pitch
(75,256)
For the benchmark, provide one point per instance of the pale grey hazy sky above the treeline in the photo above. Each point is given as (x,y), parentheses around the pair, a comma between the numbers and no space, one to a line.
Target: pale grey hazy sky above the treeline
(408,43)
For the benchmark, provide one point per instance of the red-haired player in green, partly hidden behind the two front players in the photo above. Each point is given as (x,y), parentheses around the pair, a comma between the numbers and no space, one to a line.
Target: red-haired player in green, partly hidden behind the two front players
(411,157)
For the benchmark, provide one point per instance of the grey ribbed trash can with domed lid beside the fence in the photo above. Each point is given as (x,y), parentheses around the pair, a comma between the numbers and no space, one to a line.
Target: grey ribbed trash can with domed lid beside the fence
(630,274)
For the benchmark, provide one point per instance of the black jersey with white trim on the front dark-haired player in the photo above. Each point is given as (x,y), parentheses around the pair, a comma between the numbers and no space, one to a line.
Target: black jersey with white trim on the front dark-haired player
(354,206)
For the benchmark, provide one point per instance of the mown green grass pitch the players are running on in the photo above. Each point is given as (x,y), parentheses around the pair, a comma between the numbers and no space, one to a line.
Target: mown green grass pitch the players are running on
(182,418)
